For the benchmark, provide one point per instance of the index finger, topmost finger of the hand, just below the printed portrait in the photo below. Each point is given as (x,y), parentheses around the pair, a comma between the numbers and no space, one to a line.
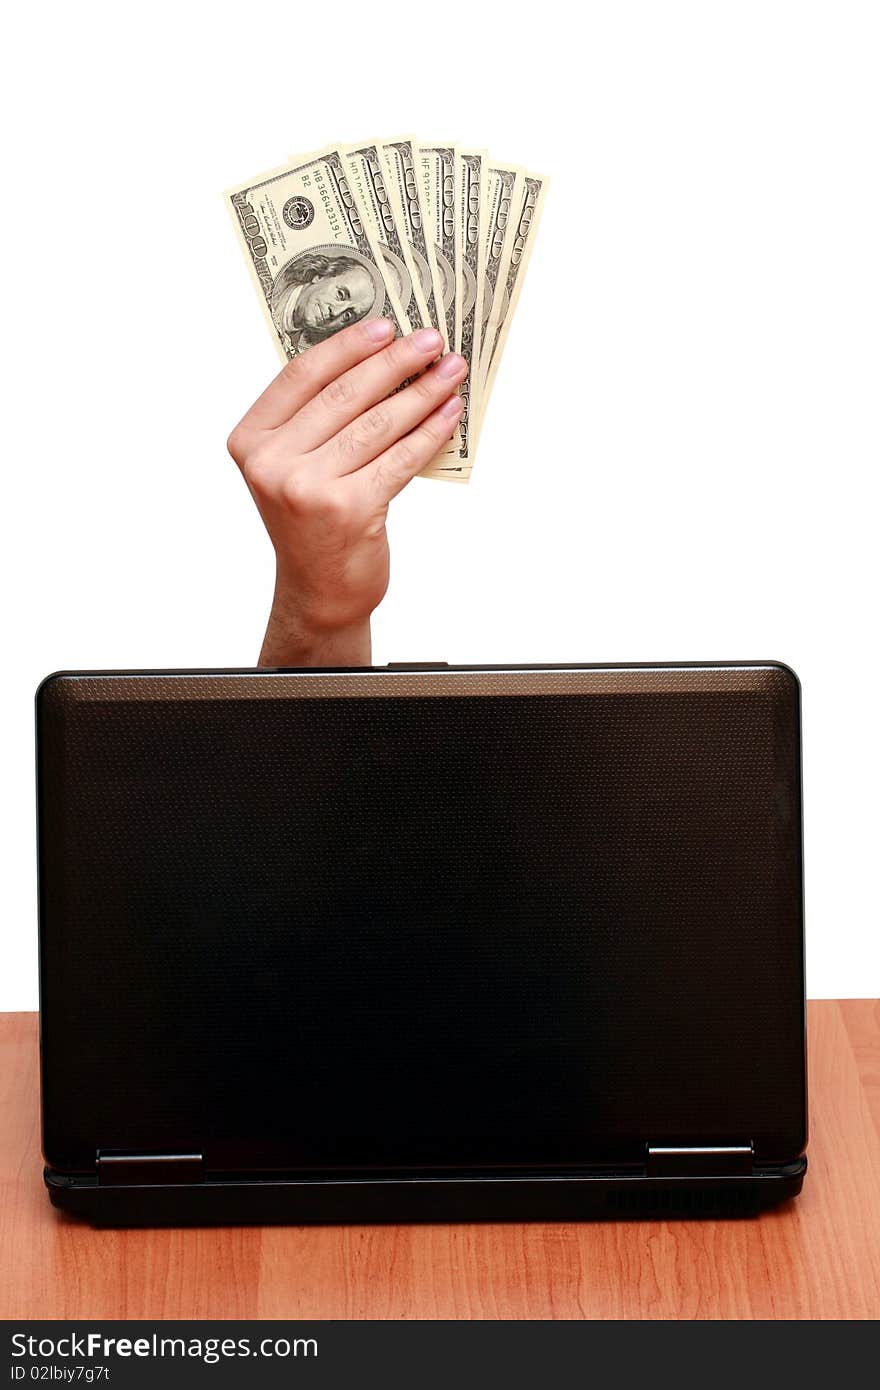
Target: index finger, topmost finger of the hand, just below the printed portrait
(301,379)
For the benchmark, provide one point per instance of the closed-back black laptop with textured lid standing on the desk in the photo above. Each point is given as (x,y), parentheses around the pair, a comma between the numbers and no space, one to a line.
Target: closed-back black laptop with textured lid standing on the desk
(422,943)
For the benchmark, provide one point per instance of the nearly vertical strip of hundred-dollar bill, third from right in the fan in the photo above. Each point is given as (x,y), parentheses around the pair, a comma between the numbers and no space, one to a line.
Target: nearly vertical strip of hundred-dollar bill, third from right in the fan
(471,266)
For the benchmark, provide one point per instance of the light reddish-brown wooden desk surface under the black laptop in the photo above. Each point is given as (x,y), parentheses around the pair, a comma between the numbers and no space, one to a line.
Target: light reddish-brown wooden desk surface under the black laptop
(817,1257)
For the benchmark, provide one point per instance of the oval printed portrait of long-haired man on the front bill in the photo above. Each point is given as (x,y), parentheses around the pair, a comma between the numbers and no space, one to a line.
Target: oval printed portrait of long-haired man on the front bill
(322,291)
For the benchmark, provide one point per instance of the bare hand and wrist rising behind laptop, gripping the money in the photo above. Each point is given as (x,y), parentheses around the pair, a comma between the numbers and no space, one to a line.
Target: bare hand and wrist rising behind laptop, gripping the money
(323,452)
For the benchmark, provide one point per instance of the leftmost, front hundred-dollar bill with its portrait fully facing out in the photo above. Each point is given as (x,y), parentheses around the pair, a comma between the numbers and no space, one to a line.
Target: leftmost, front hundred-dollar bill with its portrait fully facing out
(315,262)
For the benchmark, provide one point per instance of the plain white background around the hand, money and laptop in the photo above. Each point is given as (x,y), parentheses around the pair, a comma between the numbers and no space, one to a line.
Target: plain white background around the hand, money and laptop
(682,451)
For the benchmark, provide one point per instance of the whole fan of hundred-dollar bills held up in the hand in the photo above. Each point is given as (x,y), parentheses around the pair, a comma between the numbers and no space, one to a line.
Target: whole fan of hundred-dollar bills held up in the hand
(427,236)
